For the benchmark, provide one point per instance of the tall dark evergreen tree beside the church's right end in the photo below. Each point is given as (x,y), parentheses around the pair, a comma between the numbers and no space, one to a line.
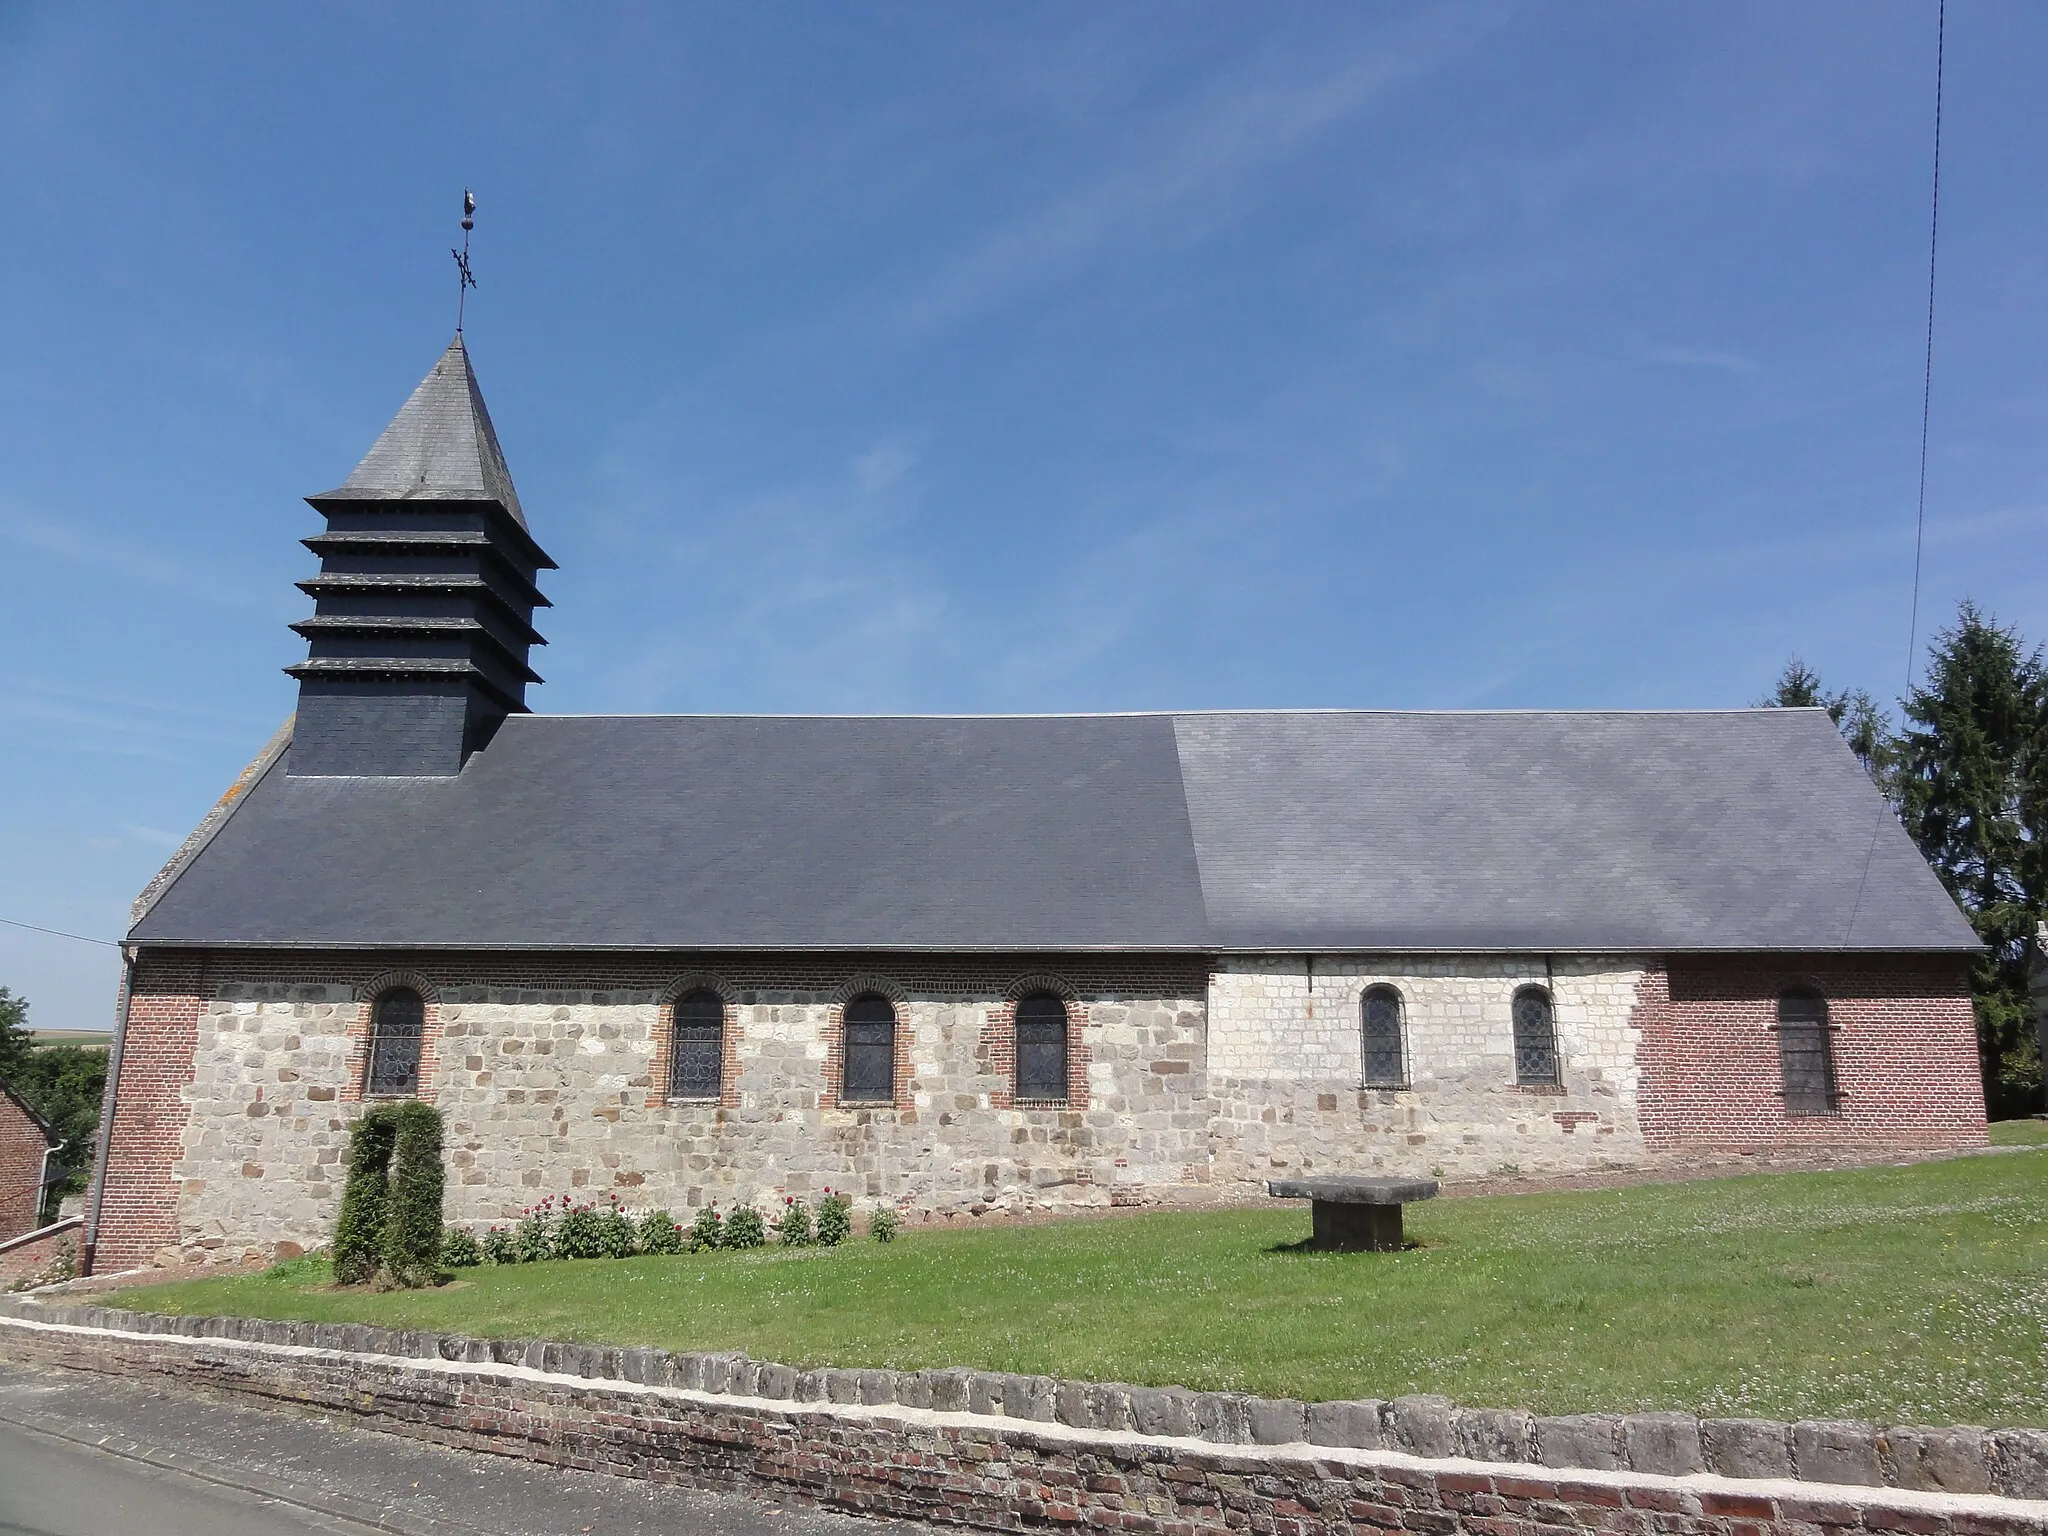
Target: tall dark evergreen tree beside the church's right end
(1967,783)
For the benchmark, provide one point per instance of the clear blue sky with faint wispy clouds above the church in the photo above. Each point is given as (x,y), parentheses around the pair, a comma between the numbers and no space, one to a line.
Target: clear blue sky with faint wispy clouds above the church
(1056,357)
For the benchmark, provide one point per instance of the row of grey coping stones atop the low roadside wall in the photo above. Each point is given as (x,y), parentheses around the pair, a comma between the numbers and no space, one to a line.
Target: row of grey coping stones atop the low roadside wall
(1928,1459)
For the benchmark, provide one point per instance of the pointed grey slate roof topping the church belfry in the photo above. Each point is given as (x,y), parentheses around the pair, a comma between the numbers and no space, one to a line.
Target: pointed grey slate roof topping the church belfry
(441,447)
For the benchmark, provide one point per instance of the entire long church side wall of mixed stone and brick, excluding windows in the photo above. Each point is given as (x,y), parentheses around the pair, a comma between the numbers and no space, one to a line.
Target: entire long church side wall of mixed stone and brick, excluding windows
(1189,1080)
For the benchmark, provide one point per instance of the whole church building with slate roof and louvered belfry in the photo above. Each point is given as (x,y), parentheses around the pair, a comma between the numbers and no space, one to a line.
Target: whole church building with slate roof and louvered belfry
(978,964)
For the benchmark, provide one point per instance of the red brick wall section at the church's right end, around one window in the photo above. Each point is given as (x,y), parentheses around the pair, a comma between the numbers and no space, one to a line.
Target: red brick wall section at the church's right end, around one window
(1902,1031)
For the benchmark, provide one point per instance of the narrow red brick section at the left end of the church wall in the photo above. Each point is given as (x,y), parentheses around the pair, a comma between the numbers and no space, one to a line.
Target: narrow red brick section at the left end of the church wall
(140,1201)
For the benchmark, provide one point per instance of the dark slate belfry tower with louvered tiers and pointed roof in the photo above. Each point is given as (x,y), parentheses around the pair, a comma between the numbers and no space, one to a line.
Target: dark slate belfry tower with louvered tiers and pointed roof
(423,609)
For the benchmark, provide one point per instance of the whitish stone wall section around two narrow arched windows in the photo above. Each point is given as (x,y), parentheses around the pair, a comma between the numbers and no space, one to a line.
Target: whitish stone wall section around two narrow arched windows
(1285,1068)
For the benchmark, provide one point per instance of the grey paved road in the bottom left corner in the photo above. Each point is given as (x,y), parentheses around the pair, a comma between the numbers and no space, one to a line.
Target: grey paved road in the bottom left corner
(99,1457)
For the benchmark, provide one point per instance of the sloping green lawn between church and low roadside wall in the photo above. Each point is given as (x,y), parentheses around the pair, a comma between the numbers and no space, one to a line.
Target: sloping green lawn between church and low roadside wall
(1916,1295)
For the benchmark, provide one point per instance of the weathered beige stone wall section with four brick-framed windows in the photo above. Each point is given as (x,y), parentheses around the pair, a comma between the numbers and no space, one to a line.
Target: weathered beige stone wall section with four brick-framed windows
(550,1082)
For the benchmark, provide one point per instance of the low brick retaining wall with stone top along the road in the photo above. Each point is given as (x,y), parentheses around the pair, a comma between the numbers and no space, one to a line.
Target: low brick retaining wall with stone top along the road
(1041,1453)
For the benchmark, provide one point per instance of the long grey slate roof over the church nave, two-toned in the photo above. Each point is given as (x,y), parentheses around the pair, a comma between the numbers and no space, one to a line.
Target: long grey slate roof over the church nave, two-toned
(1322,830)
